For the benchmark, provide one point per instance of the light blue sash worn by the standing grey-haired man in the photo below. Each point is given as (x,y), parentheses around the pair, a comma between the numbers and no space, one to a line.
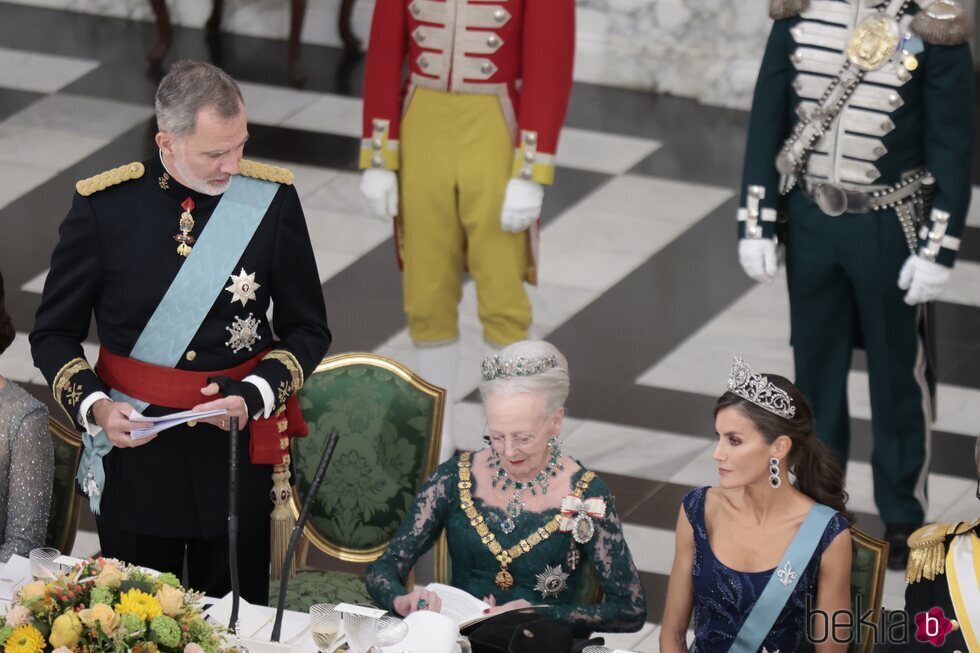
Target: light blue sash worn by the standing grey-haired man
(187,302)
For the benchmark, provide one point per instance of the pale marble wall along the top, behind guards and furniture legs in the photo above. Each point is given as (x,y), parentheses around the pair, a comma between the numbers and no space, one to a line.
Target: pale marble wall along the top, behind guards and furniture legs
(705,49)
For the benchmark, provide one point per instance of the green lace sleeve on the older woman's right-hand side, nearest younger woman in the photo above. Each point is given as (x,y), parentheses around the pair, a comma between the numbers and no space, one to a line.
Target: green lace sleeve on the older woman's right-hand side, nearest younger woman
(624,608)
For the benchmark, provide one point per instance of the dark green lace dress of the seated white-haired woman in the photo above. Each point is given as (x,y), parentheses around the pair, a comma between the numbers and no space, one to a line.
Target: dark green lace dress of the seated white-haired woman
(474,567)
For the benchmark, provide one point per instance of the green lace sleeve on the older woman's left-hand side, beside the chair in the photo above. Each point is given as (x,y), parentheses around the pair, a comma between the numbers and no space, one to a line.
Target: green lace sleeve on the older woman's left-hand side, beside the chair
(421,526)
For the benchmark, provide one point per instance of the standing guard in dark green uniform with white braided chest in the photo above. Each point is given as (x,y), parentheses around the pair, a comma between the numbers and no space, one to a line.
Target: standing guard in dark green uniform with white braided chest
(863,109)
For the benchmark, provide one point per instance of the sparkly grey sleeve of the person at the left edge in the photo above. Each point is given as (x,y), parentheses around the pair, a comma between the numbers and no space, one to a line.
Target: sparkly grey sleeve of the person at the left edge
(31,471)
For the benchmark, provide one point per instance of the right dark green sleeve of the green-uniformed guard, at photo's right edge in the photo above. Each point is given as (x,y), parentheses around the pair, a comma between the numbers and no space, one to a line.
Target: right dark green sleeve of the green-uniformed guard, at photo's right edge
(948,135)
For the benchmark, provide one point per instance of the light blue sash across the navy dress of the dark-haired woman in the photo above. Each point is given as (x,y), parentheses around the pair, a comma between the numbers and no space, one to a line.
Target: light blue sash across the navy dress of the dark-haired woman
(783,581)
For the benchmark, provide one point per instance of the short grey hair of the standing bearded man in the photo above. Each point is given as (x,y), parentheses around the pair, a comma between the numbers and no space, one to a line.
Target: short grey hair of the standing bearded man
(189,87)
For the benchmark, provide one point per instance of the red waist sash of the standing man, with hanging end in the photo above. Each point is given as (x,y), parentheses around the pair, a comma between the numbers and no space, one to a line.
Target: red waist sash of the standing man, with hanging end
(173,388)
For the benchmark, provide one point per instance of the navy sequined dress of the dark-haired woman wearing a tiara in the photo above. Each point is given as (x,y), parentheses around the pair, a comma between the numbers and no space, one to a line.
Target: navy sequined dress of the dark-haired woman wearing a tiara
(723,597)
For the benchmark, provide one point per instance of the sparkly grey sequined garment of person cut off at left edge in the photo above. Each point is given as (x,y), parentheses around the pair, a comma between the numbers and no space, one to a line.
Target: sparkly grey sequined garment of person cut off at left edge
(26,471)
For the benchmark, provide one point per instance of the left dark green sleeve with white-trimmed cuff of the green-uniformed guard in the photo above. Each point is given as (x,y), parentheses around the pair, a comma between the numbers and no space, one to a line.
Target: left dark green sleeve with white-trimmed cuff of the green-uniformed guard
(769,122)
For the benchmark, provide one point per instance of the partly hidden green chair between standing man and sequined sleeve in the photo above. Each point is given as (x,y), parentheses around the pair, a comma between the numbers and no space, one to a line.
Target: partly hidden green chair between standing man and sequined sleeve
(63,514)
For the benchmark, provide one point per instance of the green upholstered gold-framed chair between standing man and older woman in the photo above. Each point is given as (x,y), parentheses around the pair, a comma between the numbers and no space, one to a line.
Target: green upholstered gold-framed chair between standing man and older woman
(390,426)
